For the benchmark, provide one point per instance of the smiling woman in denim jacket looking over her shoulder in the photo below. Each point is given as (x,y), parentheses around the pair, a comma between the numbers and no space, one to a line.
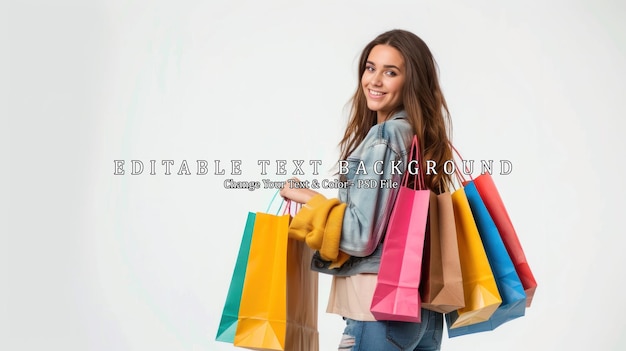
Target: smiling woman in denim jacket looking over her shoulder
(398,96)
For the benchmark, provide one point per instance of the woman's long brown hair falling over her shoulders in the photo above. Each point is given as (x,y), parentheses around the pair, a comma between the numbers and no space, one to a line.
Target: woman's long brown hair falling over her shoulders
(422,99)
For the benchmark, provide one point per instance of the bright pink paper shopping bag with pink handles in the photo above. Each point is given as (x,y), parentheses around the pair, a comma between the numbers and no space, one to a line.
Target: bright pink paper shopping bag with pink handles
(396,295)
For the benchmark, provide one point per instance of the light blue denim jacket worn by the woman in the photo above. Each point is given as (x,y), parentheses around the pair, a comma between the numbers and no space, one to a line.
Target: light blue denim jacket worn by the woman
(373,172)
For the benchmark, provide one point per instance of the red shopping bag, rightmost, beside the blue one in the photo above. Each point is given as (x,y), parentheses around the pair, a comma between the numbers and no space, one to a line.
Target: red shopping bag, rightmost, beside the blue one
(491,197)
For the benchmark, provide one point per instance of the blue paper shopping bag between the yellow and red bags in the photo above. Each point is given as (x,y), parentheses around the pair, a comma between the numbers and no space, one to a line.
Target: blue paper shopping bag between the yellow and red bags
(509,285)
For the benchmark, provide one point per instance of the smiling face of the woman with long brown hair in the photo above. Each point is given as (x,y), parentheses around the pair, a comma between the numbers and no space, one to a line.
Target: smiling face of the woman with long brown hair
(383,79)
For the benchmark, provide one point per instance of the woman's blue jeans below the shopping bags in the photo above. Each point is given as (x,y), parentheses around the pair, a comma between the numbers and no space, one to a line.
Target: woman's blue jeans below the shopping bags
(394,336)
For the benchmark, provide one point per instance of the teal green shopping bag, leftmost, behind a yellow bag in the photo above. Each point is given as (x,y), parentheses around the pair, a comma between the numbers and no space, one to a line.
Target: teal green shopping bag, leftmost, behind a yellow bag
(230,314)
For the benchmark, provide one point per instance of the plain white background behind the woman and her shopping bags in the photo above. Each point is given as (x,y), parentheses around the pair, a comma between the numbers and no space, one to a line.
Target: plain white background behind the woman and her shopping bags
(93,261)
